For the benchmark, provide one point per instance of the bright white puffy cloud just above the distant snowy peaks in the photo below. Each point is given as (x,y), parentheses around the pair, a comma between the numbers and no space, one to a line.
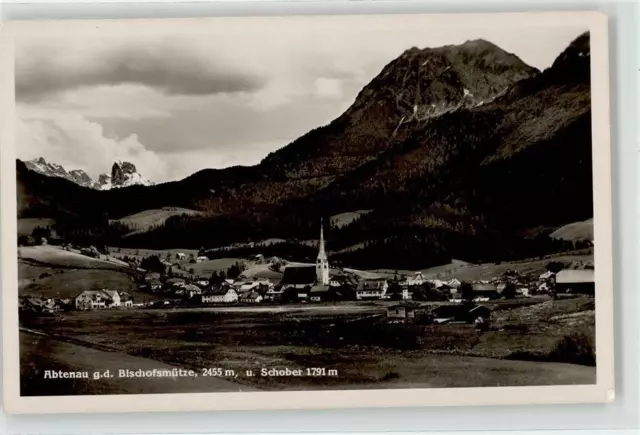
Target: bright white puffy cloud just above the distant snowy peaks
(77,143)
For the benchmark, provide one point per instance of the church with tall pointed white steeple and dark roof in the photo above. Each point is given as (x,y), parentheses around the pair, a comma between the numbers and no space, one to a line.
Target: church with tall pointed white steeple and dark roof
(312,282)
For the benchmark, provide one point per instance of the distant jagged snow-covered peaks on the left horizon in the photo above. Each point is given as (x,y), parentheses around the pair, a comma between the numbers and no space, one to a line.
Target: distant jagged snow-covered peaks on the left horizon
(123,174)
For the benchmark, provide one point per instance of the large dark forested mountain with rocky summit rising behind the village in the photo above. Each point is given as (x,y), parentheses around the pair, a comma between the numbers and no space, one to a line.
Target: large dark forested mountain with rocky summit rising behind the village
(460,151)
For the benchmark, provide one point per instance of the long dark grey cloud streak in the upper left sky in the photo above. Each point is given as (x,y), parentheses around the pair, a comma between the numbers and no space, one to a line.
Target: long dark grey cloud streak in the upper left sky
(170,69)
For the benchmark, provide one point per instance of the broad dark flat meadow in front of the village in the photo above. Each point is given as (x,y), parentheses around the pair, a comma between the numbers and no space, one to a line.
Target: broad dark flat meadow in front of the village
(365,349)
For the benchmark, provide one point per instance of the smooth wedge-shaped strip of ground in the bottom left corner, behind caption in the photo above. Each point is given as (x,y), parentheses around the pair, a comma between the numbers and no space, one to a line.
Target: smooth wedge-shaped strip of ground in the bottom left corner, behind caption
(39,353)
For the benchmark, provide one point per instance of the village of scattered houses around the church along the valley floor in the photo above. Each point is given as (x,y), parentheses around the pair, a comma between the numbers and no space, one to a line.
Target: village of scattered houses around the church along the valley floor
(404,295)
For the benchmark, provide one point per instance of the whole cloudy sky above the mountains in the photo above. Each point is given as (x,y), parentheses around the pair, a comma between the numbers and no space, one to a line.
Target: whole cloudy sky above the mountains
(190,98)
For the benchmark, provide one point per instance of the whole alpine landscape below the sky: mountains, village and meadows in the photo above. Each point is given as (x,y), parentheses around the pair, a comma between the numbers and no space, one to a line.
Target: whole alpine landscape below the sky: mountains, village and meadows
(442,224)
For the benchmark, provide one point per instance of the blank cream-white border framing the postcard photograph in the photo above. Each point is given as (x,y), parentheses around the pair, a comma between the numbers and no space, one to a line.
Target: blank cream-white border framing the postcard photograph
(602,391)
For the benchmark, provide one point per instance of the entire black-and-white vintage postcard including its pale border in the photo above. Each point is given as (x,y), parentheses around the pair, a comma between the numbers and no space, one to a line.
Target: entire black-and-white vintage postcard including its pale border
(306,212)
